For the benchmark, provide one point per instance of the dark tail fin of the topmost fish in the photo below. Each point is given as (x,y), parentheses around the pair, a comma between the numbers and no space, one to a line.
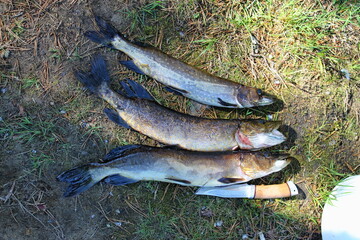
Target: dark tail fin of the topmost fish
(106,34)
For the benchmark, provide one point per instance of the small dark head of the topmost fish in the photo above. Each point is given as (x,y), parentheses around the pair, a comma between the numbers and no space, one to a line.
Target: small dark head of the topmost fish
(252,97)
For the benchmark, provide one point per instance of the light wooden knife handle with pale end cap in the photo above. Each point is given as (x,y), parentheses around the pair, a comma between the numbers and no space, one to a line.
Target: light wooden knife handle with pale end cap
(276,190)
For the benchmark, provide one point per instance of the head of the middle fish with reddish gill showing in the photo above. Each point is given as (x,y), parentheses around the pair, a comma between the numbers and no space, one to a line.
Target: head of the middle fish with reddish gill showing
(257,134)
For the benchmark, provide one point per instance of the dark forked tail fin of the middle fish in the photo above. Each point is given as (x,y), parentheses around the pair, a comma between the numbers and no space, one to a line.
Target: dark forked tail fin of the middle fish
(98,76)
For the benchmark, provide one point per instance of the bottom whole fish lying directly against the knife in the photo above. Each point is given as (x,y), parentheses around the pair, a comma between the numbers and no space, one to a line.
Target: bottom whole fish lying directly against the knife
(132,163)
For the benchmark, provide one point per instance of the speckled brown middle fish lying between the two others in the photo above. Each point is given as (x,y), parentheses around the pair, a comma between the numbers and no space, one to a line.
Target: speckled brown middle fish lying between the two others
(136,109)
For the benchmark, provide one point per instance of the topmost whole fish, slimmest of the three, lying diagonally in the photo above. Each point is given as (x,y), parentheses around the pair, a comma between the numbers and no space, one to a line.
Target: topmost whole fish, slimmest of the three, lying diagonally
(178,76)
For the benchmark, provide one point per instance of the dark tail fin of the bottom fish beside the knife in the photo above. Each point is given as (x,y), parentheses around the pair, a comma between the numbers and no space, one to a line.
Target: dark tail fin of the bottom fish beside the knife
(79,178)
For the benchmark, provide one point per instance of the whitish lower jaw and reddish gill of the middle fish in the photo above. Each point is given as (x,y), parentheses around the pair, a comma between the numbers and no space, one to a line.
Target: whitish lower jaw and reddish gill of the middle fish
(259,140)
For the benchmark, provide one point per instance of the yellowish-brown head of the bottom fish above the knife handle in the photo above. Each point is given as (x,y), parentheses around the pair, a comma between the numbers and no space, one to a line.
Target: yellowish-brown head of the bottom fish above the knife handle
(260,164)
